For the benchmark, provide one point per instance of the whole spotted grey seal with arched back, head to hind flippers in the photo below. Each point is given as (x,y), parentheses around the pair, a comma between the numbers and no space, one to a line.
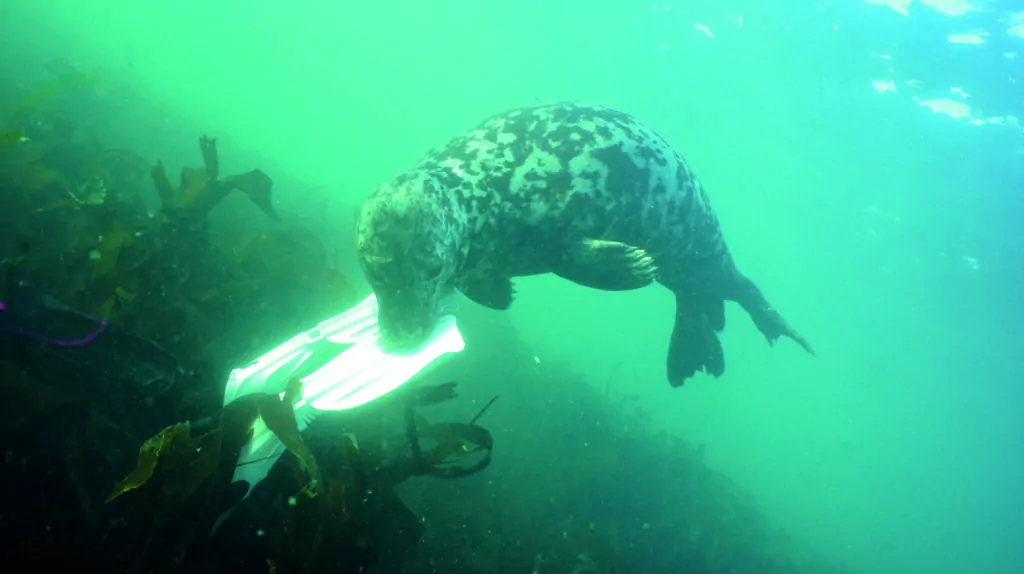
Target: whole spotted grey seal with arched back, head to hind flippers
(584,192)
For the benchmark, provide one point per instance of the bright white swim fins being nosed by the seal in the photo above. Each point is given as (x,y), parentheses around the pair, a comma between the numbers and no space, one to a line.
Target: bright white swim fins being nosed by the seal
(342,366)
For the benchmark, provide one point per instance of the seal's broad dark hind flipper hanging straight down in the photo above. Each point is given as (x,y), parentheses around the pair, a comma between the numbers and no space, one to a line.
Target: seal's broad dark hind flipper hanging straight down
(695,346)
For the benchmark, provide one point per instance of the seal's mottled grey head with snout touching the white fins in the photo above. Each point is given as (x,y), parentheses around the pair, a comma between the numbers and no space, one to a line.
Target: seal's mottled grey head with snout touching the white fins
(409,252)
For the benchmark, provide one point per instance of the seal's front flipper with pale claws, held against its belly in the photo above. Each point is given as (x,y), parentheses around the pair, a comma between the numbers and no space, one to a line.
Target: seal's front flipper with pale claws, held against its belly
(607,266)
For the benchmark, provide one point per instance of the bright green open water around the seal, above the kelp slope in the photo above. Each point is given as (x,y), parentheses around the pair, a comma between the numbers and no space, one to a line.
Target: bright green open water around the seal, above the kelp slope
(898,450)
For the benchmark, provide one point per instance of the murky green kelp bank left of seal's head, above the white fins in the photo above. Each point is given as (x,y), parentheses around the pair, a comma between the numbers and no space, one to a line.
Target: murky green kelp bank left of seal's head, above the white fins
(88,209)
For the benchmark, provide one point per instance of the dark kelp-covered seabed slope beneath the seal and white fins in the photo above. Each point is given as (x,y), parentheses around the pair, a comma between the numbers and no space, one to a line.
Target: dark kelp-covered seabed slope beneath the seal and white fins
(124,475)
